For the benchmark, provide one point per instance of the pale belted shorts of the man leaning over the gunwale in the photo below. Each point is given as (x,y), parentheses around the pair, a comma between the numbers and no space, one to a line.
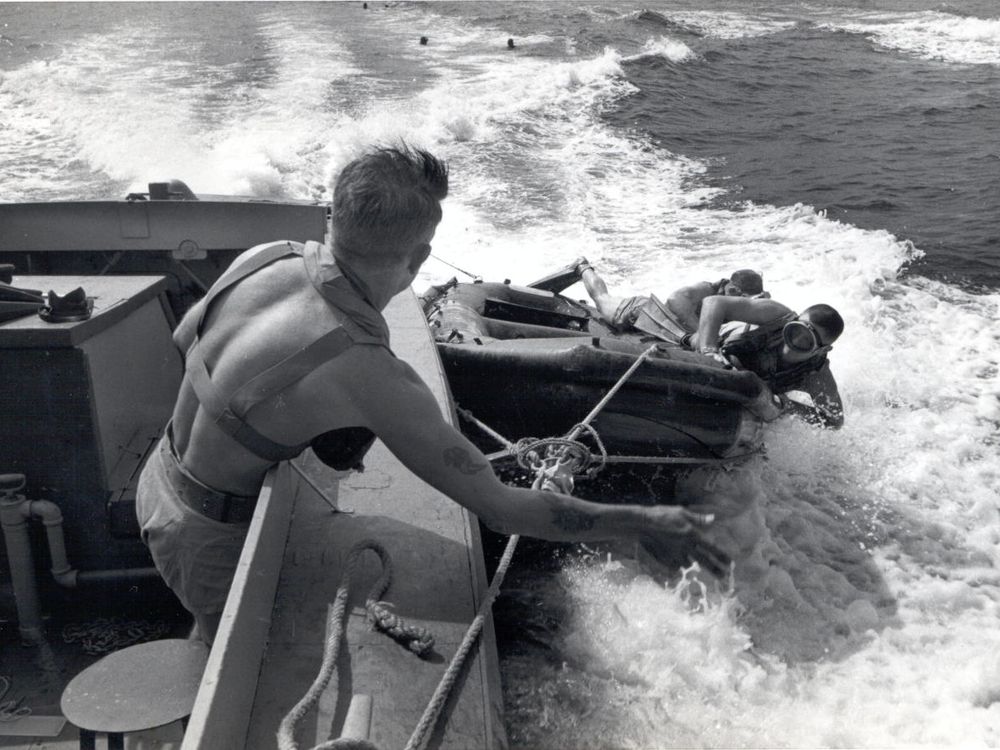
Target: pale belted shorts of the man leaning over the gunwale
(196,555)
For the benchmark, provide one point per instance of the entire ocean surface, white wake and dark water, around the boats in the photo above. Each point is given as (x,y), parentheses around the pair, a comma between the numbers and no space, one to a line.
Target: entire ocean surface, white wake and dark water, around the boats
(847,150)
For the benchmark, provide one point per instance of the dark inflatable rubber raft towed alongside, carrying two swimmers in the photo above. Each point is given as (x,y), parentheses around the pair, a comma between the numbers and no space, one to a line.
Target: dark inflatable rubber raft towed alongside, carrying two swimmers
(526,361)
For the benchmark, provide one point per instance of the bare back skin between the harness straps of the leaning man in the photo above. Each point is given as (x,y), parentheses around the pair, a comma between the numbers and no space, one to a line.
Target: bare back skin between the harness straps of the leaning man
(267,317)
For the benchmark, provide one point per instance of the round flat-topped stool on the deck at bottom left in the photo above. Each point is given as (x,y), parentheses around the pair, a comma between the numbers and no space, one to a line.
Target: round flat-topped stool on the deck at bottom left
(140,687)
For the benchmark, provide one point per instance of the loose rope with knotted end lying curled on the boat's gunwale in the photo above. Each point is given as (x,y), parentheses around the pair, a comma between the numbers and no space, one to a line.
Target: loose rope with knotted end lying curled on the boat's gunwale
(417,639)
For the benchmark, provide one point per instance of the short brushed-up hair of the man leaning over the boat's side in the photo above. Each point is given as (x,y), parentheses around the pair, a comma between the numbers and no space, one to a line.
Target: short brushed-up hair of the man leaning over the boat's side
(383,198)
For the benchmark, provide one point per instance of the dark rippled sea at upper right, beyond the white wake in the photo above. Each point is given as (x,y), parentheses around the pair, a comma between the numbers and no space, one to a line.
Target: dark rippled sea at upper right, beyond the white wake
(817,114)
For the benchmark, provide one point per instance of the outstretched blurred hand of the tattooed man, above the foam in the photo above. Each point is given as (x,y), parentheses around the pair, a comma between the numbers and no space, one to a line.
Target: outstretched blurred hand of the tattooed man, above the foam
(673,528)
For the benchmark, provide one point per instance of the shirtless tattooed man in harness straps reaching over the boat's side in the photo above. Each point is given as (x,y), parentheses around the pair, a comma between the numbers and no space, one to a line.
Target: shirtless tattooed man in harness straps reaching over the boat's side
(289,345)
